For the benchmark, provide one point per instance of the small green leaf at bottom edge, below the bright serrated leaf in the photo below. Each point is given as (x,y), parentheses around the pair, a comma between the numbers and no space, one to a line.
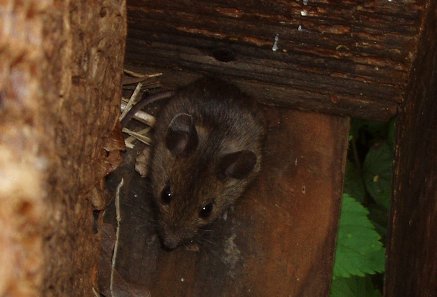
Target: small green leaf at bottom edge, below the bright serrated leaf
(354,287)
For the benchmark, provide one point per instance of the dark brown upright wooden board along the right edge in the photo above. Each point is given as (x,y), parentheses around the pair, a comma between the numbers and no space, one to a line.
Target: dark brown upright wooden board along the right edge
(412,256)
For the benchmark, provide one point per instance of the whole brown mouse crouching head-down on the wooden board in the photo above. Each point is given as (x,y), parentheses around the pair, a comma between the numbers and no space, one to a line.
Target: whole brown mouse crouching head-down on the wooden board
(206,150)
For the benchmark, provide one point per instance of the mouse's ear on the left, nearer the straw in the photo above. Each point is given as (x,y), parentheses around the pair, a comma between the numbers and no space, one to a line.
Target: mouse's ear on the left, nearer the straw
(181,136)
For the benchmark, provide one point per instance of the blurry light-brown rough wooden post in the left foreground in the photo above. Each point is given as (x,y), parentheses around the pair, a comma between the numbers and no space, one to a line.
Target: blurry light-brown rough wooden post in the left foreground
(60,82)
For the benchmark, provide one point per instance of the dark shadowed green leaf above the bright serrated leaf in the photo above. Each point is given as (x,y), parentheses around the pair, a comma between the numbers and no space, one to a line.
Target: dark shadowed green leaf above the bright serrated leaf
(378,173)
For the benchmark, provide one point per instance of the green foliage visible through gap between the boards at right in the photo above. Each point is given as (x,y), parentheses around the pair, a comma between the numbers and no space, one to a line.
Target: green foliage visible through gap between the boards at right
(367,190)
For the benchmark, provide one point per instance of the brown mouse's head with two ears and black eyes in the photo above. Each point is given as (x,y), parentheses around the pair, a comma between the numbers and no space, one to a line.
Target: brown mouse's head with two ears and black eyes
(195,178)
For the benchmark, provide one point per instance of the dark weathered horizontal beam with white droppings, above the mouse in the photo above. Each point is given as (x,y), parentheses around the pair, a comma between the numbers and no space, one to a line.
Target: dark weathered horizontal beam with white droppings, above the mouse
(358,52)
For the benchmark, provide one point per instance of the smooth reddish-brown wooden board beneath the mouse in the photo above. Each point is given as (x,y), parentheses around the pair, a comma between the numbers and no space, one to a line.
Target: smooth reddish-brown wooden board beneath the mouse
(277,241)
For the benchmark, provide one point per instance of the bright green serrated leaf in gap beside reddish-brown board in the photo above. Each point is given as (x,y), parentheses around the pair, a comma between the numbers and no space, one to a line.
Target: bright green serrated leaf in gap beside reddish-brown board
(359,250)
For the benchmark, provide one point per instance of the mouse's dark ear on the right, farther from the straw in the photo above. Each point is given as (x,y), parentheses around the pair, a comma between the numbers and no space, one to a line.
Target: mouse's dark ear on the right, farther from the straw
(237,165)
